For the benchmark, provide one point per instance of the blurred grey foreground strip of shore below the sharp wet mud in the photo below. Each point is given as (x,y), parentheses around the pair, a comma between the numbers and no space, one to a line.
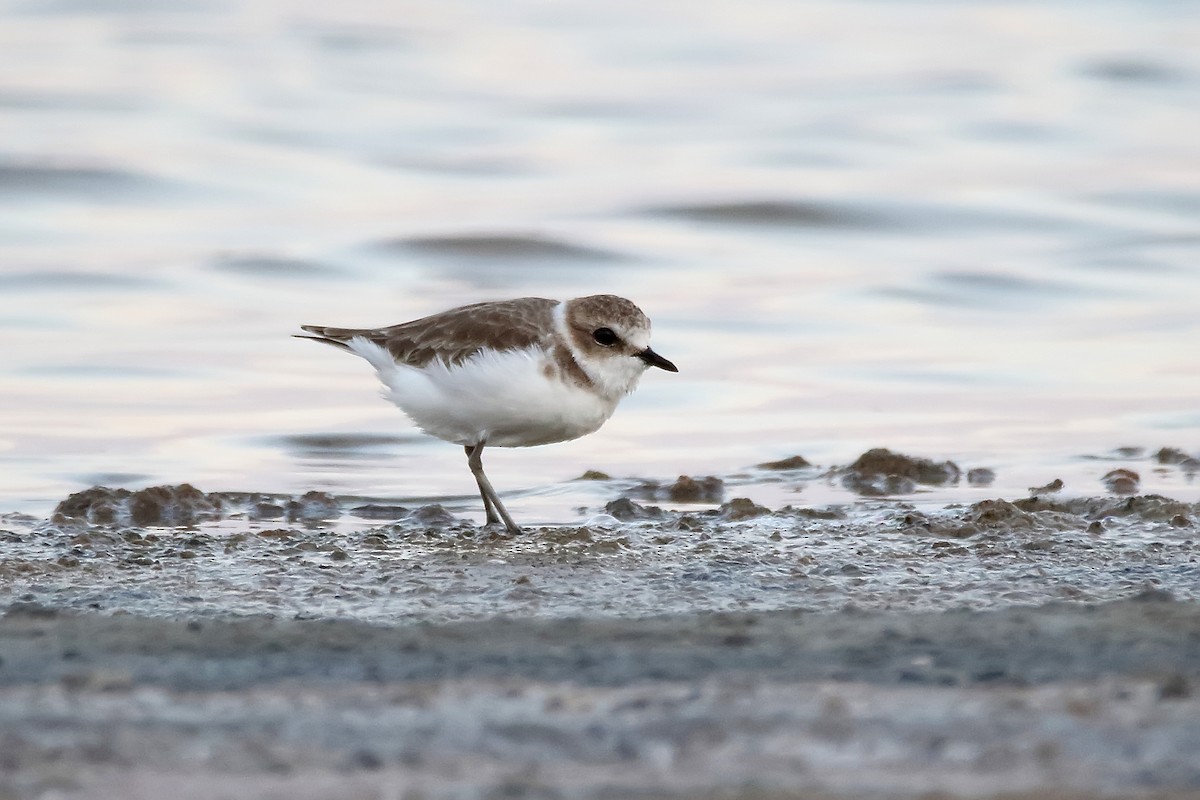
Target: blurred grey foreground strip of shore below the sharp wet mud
(1054,701)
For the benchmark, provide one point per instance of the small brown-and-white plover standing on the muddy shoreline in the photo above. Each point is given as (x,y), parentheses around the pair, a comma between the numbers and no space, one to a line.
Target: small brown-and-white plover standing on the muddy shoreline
(508,374)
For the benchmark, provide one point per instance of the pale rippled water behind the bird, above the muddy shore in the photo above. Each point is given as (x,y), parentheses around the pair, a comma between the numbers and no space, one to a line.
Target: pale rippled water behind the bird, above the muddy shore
(962,231)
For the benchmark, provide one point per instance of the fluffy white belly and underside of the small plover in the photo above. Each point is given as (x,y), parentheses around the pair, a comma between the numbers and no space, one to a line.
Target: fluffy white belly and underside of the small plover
(502,399)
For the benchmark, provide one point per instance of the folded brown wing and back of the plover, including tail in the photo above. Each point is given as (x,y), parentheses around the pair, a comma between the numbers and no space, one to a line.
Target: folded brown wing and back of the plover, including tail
(455,335)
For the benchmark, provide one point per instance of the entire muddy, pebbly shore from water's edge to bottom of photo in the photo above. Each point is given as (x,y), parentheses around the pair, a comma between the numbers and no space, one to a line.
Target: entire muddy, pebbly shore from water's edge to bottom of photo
(173,642)
